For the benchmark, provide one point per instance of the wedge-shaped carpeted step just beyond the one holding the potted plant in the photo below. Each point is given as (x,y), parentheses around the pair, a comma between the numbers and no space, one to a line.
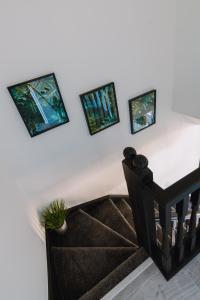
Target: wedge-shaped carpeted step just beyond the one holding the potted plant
(107,213)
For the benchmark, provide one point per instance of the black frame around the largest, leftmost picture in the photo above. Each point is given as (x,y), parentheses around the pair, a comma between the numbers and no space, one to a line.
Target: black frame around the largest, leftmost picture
(60,100)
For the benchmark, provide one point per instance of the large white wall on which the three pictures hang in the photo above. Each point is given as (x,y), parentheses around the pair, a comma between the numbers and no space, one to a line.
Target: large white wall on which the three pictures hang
(86,43)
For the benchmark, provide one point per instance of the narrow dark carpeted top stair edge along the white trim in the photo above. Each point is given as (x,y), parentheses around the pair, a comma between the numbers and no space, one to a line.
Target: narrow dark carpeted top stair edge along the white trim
(118,274)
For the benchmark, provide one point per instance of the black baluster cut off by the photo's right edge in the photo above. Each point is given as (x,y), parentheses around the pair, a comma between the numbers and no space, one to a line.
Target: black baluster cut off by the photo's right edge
(195,201)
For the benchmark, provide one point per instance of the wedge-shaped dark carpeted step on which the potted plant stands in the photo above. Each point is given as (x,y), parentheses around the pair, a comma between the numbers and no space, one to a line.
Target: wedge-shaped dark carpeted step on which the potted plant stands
(85,231)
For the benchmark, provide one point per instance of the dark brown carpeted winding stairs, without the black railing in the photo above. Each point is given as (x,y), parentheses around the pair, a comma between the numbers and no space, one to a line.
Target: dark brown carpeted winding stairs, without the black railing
(98,250)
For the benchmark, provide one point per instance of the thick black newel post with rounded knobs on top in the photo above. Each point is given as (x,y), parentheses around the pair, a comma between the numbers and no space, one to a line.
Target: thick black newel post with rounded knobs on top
(139,178)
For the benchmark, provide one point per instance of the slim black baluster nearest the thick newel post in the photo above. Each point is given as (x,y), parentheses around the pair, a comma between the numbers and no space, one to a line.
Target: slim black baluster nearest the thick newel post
(165,221)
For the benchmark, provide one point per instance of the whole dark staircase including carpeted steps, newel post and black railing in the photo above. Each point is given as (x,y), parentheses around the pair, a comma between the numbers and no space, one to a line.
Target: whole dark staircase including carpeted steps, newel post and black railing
(100,247)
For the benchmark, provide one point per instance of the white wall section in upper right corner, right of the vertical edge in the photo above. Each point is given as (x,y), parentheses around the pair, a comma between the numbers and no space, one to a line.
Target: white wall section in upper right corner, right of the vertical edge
(187,87)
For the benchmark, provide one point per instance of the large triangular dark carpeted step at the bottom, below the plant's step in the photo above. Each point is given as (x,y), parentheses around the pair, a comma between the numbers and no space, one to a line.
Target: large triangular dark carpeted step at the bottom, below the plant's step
(78,270)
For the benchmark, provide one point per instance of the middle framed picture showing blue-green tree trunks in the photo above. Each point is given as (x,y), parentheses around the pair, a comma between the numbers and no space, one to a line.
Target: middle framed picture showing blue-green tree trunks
(100,108)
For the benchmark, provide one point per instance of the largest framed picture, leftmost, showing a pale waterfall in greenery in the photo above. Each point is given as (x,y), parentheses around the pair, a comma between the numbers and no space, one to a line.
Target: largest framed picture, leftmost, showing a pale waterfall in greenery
(39,103)
